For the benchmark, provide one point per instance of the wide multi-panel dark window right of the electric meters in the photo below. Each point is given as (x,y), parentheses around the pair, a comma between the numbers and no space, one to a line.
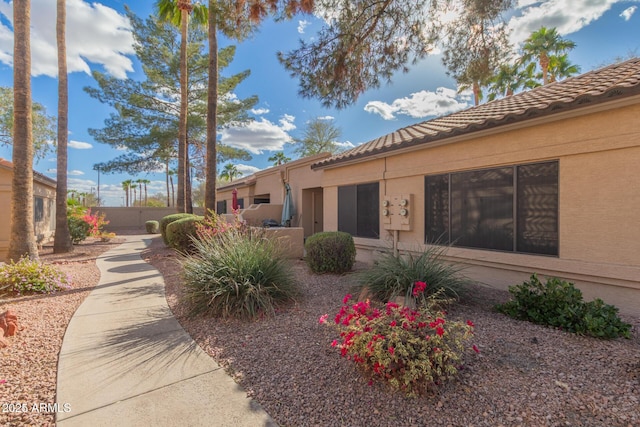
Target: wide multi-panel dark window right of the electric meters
(512,208)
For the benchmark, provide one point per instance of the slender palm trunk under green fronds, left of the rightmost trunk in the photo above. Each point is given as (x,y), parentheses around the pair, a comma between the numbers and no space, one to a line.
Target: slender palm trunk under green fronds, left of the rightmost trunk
(182,124)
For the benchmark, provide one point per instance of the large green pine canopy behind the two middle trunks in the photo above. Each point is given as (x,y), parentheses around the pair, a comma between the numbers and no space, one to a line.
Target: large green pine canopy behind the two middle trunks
(145,120)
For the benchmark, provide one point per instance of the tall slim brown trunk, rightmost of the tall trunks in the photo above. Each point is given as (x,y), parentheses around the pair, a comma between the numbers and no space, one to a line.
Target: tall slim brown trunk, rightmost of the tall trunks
(212,111)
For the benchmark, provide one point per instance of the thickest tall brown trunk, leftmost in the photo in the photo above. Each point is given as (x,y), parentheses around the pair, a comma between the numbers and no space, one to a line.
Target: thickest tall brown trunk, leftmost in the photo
(22,239)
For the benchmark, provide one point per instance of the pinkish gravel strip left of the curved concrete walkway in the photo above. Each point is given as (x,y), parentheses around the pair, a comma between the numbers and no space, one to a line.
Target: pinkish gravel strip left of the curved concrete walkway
(28,367)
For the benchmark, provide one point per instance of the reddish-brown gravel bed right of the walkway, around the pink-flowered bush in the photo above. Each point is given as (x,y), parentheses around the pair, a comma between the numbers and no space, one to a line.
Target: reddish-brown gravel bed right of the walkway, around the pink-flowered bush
(524,375)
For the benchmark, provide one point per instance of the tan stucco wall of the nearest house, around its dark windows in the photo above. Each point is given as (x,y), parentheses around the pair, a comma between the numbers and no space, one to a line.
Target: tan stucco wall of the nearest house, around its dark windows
(597,147)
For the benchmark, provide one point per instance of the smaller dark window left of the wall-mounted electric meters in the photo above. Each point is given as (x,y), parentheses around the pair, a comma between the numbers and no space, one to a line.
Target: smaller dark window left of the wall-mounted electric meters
(359,210)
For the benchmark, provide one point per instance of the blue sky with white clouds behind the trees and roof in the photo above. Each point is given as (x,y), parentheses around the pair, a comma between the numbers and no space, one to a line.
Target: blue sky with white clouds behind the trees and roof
(98,38)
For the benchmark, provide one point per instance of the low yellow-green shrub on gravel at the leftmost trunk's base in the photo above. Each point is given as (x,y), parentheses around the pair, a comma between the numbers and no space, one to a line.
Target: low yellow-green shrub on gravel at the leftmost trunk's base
(29,276)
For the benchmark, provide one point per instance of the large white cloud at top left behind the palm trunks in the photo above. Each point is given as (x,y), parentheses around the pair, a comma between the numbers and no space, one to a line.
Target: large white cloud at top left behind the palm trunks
(96,34)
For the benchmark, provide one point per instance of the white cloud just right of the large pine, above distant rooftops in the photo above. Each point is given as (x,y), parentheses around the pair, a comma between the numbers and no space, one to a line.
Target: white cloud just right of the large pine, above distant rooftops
(260,135)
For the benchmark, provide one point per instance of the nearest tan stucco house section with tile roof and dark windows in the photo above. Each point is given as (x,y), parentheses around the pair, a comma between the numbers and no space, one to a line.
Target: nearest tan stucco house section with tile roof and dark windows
(544,181)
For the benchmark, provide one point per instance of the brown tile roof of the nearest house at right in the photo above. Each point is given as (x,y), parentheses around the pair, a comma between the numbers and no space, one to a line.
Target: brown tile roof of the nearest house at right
(606,84)
